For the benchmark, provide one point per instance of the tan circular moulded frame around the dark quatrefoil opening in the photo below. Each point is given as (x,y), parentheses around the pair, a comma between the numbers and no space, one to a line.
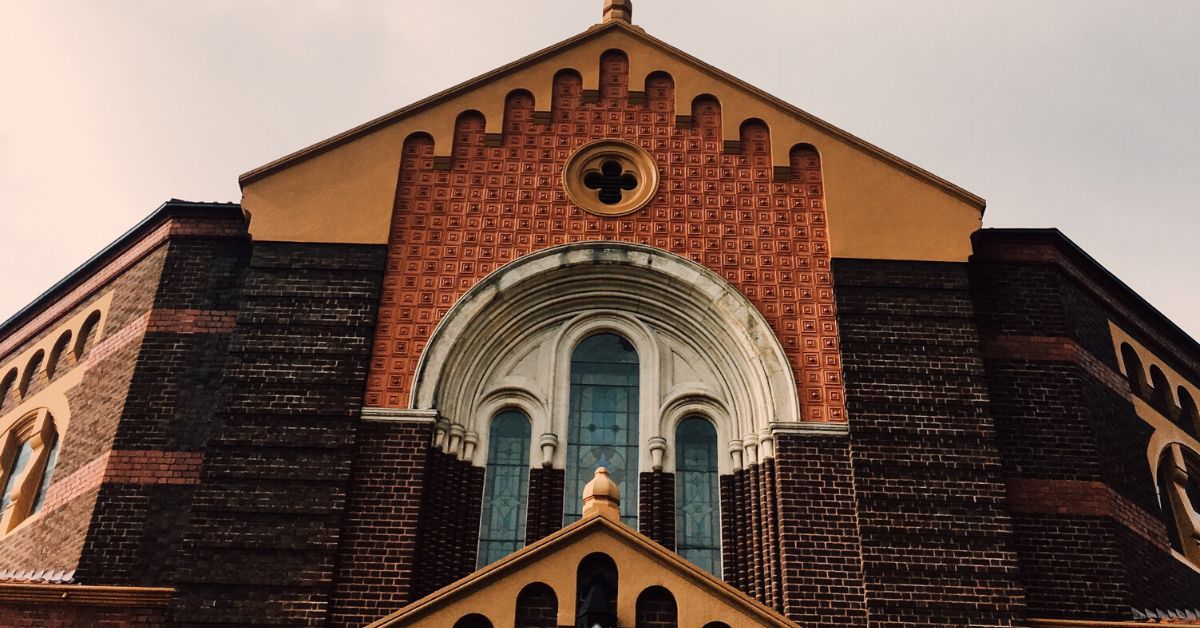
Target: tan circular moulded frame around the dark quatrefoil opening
(633,159)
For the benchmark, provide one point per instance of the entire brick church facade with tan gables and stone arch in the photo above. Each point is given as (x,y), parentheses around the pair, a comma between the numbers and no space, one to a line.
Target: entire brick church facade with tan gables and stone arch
(825,394)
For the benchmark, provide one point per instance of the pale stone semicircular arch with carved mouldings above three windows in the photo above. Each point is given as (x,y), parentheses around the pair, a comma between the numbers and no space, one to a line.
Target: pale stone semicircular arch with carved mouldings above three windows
(699,340)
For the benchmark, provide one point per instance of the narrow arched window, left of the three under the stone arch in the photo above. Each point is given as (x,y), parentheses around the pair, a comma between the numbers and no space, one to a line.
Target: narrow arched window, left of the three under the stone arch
(506,488)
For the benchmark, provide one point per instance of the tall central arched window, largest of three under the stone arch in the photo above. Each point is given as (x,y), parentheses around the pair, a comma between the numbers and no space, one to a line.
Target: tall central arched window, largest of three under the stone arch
(603,423)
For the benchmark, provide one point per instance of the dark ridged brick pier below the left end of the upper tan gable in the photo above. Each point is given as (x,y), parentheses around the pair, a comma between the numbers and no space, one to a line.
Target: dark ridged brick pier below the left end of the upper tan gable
(261,542)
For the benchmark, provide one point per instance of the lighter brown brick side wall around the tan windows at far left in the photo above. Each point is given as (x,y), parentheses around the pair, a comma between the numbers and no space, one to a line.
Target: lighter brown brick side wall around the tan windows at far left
(55,539)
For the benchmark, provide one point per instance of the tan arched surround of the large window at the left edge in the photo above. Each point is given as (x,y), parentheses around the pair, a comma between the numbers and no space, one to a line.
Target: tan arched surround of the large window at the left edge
(37,429)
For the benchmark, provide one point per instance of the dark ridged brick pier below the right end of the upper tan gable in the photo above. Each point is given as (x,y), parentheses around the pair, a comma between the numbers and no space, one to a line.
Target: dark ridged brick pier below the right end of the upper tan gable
(937,537)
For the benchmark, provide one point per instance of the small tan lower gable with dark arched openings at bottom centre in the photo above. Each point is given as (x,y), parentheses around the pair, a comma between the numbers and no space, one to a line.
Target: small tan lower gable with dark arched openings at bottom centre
(553,561)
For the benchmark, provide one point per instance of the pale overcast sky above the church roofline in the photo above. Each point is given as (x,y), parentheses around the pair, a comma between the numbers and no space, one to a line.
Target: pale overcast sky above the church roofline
(1082,115)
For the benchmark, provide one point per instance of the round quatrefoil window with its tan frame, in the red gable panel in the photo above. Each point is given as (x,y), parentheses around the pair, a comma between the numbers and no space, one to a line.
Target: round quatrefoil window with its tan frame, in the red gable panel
(611,177)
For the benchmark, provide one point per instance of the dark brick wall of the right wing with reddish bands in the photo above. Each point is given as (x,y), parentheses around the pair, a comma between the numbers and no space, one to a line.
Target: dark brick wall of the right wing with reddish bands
(1065,421)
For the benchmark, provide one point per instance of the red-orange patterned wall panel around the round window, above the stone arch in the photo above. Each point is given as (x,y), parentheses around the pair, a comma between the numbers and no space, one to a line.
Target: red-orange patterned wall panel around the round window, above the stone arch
(502,198)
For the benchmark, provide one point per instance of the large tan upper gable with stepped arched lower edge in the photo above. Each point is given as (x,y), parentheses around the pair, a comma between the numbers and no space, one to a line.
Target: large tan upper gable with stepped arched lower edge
(343,189)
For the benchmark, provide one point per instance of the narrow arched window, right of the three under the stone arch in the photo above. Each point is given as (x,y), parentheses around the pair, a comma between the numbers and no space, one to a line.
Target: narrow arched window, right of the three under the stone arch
(698,497)
